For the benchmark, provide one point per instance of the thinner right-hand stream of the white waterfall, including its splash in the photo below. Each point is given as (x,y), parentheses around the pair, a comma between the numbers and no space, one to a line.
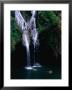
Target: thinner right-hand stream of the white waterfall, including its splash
(34,34)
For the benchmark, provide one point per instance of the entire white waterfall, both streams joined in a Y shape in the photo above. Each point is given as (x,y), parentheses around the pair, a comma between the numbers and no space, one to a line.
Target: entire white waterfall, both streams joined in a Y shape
(25,26)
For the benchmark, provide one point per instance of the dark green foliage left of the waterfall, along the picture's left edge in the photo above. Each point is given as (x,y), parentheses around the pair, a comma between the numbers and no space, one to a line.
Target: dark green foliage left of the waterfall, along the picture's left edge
(15,33)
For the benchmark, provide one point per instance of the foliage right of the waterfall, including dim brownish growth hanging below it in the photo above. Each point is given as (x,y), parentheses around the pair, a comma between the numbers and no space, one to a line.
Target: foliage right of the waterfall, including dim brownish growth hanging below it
(51,22)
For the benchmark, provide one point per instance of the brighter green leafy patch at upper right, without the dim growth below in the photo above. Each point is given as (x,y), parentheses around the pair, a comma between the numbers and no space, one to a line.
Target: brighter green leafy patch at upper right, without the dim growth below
(47,19)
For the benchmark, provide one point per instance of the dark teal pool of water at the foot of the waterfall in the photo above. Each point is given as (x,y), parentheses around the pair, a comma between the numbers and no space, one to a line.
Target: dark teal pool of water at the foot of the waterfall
(43,72)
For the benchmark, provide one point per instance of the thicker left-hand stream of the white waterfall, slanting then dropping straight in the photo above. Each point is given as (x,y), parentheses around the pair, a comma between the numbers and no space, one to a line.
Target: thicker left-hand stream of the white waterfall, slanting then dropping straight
(25,37)
